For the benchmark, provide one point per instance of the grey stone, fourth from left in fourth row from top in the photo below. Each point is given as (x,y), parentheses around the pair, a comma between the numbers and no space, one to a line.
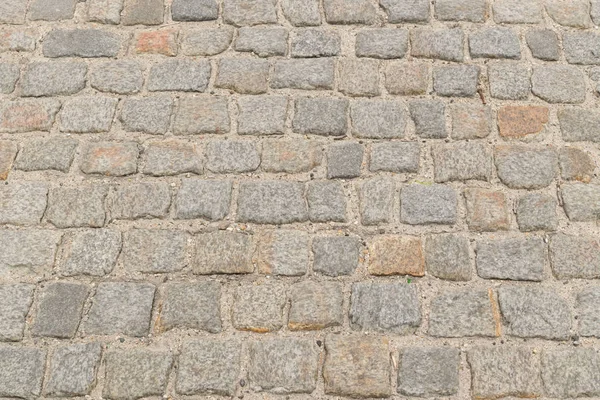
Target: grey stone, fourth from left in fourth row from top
(201,114)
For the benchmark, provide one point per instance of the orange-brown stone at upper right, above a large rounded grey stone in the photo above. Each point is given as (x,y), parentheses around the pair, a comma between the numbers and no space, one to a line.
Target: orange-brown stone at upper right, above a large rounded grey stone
(520,121)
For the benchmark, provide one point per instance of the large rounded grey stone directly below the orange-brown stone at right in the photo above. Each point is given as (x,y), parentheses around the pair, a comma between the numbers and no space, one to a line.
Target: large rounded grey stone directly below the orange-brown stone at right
(522,167)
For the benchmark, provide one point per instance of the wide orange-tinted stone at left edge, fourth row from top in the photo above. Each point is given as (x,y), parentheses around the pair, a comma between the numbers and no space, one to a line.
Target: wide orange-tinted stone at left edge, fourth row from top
(28,115)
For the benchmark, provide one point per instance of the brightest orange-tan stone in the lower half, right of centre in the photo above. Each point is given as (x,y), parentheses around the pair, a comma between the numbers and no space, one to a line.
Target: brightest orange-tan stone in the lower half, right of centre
(396,255)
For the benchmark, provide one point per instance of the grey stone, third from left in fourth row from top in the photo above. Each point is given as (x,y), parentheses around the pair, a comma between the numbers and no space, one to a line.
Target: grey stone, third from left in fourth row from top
(146,114)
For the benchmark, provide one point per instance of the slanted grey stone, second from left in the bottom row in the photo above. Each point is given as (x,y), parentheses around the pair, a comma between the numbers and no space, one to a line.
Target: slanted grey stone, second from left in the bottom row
(73,370)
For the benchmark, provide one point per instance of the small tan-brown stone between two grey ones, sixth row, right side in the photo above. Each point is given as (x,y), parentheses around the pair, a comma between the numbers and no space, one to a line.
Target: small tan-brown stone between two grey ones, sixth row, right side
(486,210)
